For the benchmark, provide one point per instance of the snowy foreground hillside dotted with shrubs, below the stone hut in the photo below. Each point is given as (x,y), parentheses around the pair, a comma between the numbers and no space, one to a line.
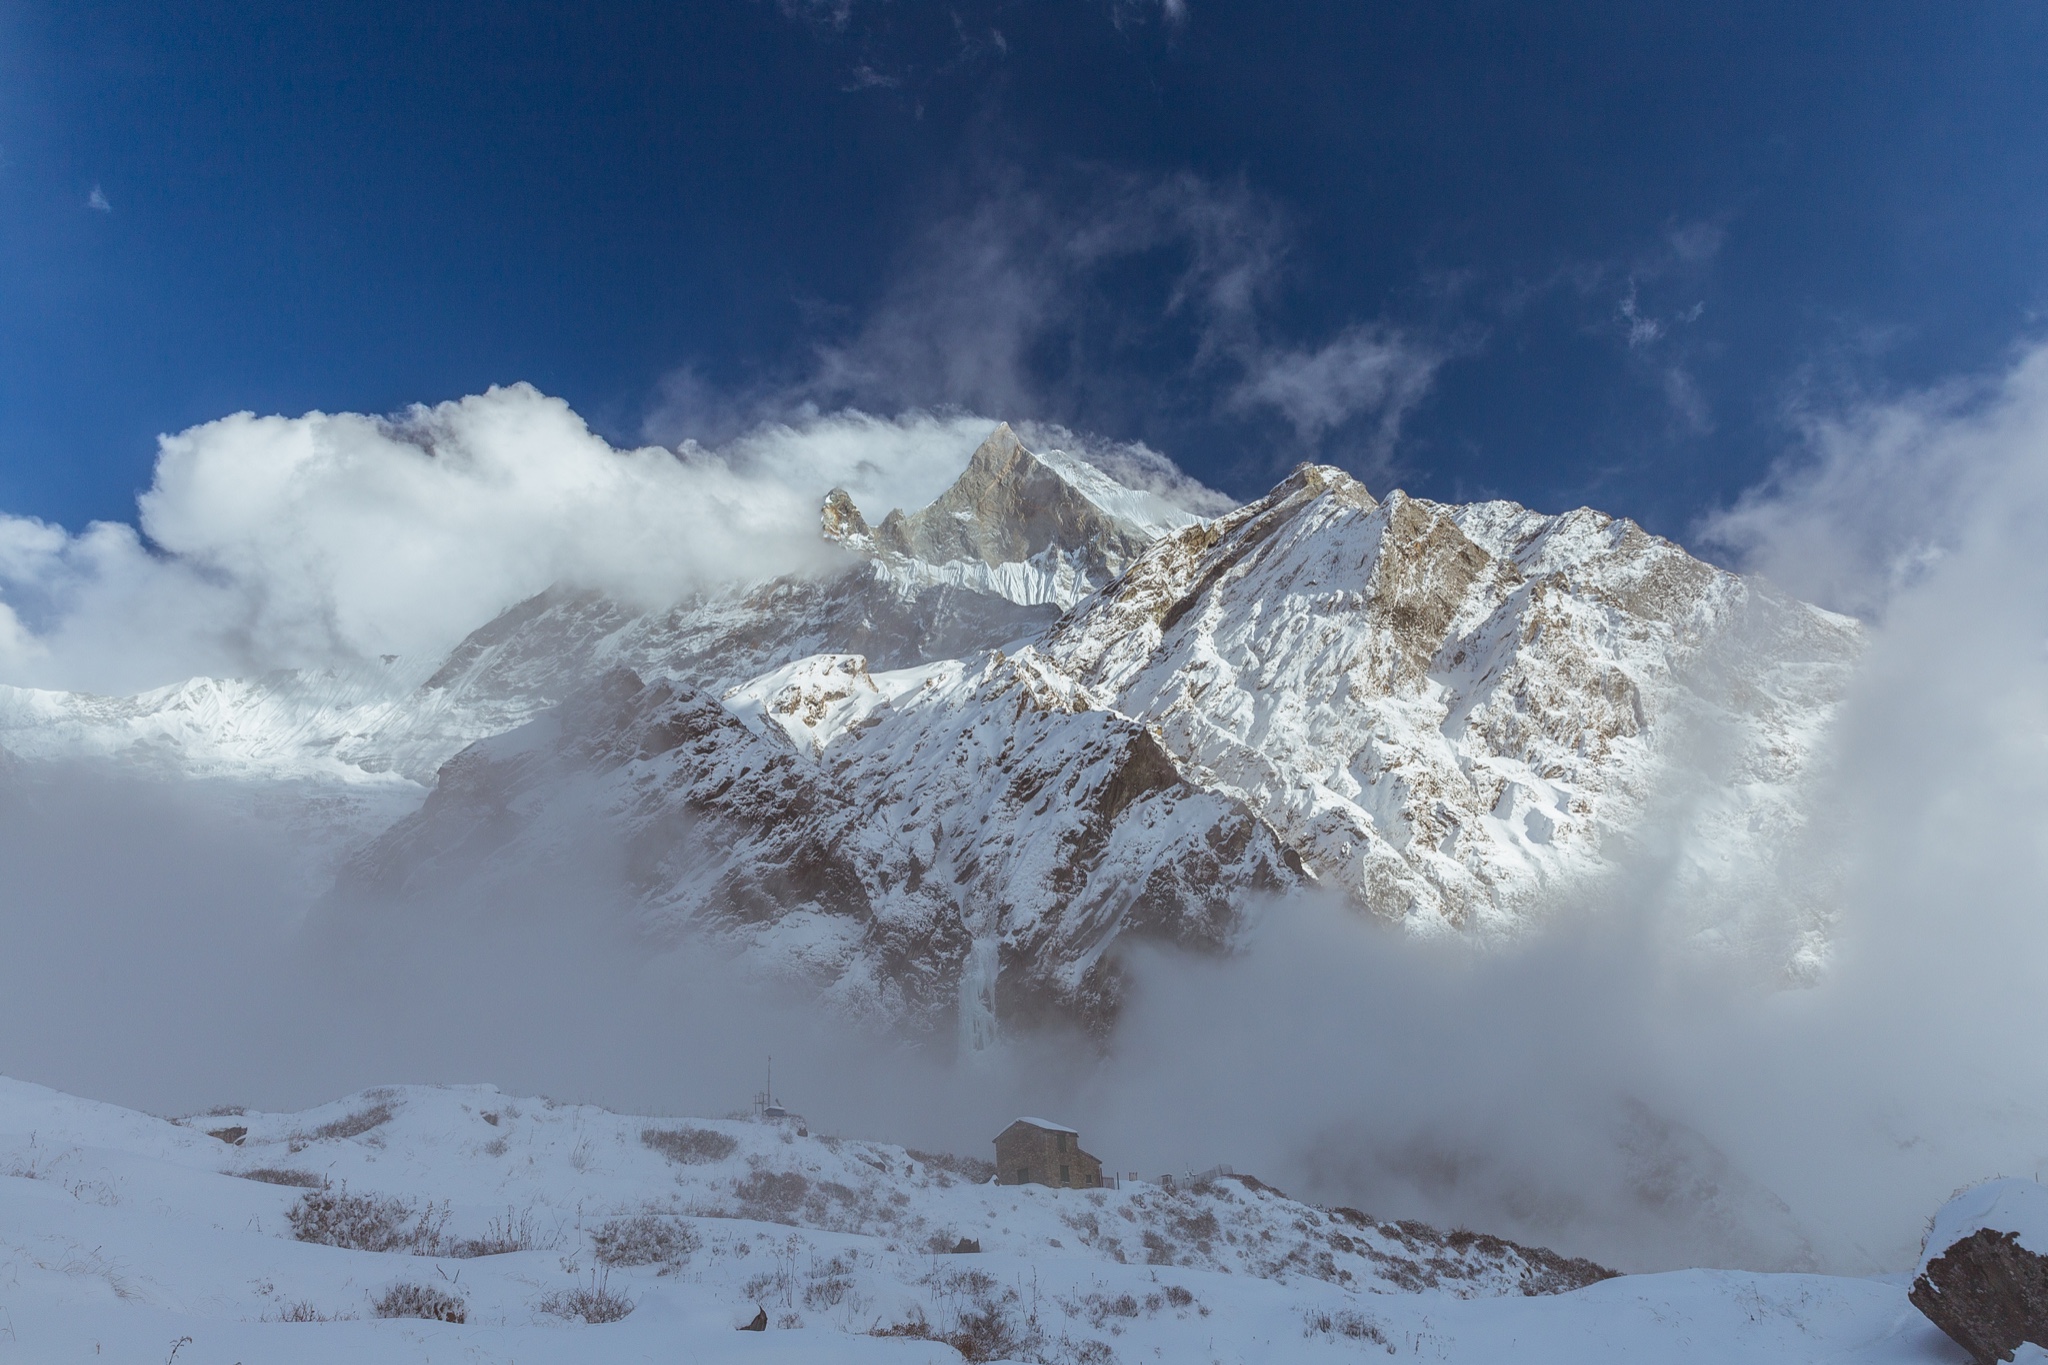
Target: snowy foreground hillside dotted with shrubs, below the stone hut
(564,1233)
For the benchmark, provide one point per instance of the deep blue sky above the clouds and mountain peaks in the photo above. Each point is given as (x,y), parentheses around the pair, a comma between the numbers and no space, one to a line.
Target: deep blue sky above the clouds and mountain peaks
(366,206)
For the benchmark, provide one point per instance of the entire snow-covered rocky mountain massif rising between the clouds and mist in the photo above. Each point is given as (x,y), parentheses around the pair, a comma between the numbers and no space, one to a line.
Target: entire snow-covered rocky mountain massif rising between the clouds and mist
(1046,717)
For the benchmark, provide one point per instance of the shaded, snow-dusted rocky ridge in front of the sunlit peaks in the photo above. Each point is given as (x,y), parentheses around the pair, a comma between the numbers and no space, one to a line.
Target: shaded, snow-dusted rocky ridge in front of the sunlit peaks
(939,848)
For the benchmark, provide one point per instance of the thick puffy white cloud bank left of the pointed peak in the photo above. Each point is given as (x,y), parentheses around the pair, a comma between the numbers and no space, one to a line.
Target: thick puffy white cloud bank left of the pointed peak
(335,537)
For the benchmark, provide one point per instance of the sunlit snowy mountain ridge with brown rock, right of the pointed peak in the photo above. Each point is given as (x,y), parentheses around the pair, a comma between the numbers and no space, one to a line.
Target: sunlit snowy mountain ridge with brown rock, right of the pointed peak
(1449,709)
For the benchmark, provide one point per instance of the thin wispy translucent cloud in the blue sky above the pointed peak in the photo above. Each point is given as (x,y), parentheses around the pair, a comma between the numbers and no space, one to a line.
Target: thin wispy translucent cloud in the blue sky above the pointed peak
(1043,298)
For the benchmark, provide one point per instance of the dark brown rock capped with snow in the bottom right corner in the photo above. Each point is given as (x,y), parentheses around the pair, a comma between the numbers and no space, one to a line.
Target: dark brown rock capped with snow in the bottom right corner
(1983,1278)
